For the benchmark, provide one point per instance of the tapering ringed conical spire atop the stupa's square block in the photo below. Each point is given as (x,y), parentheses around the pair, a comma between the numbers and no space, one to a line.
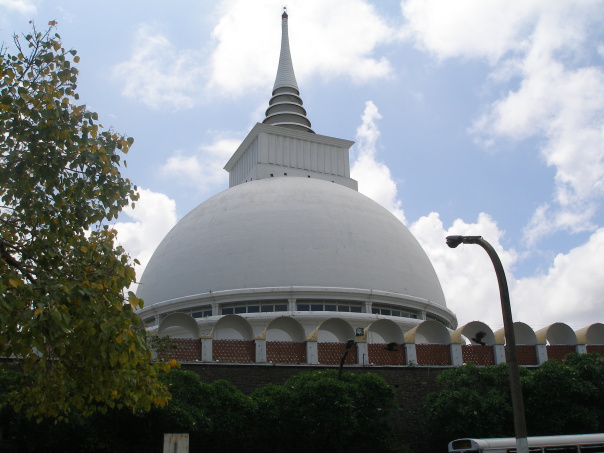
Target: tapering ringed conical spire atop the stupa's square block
(285,106)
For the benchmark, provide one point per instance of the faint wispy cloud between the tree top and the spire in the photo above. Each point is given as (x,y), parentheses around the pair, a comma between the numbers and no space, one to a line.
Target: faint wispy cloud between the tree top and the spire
(158,74)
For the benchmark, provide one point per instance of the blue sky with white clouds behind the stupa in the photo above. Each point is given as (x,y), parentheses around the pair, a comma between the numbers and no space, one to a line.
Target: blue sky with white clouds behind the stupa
(470,117)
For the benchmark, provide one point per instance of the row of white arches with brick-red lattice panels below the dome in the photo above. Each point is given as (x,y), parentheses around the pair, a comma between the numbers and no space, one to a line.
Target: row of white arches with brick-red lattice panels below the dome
(233,339)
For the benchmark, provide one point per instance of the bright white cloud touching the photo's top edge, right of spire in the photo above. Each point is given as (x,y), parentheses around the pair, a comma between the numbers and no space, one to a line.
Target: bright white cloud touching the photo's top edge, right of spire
(496,29)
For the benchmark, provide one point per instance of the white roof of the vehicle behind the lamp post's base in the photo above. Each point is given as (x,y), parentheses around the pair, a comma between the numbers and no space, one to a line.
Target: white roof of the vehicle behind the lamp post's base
(576,443)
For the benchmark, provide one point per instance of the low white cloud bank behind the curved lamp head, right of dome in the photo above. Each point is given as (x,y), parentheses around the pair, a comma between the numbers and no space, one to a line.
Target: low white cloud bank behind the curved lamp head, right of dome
(571,291)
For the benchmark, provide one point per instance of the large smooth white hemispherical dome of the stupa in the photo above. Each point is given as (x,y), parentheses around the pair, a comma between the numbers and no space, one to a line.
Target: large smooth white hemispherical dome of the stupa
(289,232)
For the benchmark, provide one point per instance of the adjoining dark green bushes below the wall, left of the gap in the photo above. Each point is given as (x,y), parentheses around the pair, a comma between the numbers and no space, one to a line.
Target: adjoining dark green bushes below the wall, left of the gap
(312,411)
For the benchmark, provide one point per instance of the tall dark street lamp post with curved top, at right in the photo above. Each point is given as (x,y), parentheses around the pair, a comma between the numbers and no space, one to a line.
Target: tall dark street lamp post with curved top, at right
(510,339)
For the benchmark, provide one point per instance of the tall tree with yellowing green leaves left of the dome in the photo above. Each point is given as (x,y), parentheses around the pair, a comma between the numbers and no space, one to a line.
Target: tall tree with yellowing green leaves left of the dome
(65,315)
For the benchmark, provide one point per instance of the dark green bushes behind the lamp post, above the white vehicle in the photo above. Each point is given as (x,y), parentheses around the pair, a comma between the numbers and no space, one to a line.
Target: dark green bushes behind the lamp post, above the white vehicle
(559,398)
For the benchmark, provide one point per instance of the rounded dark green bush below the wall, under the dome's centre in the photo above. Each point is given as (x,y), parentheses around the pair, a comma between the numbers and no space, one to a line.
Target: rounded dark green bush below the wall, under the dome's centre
(316,411)
